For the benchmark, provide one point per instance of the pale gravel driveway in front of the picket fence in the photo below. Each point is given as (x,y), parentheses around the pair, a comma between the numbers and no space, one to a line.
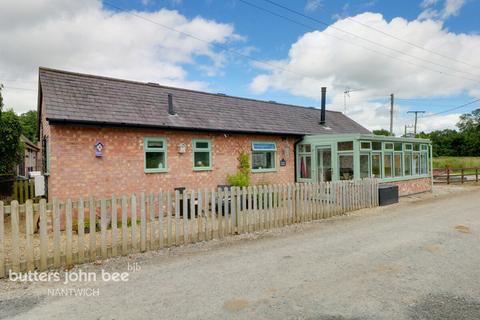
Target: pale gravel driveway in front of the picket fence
(419,259)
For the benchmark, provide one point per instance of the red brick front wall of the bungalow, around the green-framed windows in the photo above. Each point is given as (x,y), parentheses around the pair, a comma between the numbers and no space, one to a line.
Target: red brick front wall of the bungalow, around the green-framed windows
(76,172)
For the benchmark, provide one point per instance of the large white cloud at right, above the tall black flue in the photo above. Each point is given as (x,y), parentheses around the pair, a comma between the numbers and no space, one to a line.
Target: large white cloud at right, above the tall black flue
(326,61)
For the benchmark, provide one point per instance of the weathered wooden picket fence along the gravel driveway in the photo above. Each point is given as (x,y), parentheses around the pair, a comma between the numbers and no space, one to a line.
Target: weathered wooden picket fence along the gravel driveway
(39,236)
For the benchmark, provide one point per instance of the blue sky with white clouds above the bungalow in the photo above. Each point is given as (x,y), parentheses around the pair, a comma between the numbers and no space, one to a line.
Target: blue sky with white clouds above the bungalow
(427,53)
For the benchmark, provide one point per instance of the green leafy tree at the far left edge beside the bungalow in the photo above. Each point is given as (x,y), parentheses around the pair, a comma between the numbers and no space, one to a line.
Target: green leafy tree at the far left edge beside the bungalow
(11,147)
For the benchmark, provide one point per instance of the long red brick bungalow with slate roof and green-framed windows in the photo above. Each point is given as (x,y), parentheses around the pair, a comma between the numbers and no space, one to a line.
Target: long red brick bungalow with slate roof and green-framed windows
(104,136)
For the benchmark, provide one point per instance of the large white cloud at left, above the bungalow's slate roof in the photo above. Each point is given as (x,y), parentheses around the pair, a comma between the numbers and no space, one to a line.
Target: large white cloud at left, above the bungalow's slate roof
(83,36)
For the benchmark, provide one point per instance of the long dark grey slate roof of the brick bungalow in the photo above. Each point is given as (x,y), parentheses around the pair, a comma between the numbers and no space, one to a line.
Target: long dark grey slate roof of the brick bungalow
(82,98)
